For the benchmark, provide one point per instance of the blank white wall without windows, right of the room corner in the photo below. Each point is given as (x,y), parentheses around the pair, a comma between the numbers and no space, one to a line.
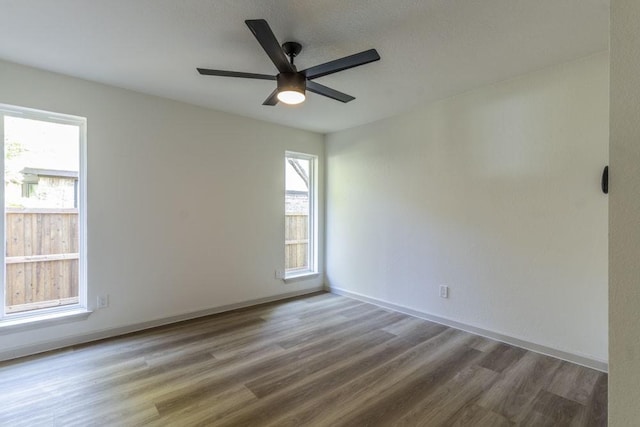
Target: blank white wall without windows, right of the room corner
(495,193)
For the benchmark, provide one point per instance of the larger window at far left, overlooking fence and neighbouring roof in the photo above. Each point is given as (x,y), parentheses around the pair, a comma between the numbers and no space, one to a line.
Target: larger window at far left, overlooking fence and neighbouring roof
(44,205)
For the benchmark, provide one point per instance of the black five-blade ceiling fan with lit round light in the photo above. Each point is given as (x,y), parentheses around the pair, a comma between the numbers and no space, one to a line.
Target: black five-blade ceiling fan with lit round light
(292,83)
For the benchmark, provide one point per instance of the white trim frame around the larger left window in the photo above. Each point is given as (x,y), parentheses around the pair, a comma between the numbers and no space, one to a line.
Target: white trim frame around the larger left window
(53,315)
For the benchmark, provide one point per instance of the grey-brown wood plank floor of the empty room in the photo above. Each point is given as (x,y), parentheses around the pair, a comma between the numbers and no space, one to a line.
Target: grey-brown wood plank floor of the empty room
(321,360)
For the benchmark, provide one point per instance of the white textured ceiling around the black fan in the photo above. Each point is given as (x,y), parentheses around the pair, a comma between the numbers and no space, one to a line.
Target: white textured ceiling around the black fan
(430,49)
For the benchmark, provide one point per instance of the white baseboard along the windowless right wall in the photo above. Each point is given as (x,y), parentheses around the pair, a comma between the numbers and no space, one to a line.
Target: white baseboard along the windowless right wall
(559,354)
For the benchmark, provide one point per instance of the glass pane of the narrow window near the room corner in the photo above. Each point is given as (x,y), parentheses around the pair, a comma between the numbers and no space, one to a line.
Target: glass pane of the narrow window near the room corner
(297,211)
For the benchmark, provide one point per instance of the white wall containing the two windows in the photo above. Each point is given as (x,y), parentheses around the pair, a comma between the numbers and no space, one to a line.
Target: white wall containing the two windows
(185,209)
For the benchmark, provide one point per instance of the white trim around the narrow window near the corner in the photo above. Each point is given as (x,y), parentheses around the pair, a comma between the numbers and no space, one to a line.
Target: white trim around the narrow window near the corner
(312,270)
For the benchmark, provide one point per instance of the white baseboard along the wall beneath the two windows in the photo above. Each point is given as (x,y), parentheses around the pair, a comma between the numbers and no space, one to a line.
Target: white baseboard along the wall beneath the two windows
(109,333)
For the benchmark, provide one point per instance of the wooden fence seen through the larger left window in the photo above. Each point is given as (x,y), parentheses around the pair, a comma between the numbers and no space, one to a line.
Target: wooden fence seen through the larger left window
(41,258)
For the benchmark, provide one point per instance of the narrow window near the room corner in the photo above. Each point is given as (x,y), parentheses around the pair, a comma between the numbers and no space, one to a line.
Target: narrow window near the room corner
(300,215)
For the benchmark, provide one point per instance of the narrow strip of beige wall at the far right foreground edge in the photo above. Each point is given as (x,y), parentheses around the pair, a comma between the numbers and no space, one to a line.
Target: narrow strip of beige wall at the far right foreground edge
(624,216)
